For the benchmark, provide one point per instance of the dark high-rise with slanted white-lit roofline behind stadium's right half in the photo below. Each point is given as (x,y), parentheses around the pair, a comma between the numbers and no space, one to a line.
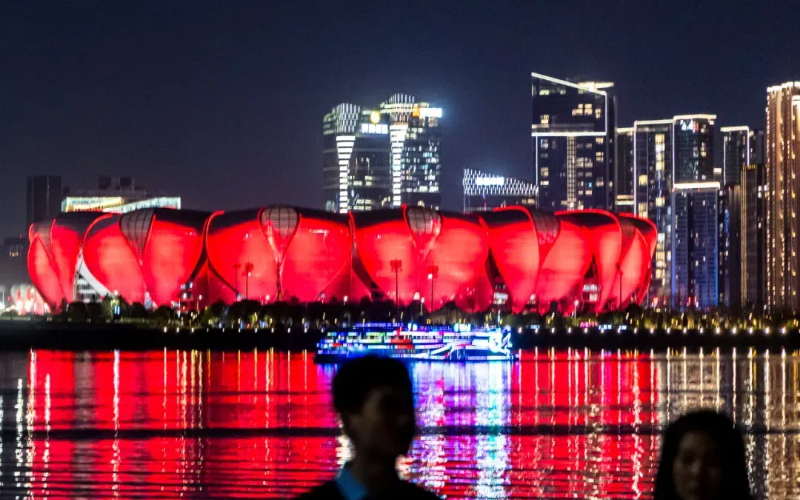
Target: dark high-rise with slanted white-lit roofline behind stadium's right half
(573,133)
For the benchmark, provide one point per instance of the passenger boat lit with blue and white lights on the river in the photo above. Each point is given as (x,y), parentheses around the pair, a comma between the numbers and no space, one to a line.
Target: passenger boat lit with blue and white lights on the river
(416,342)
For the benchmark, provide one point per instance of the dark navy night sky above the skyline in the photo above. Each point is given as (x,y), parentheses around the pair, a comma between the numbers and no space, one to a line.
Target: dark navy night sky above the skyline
(222,103)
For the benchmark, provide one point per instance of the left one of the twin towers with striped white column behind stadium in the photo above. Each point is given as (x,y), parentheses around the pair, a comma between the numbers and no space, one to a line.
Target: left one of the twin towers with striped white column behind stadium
(356,159)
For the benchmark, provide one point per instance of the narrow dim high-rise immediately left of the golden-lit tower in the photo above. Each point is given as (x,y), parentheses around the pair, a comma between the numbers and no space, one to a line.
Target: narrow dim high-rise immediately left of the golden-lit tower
(753,235)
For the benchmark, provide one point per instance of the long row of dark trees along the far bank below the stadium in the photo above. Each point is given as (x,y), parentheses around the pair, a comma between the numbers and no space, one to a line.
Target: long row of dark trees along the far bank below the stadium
(318,315)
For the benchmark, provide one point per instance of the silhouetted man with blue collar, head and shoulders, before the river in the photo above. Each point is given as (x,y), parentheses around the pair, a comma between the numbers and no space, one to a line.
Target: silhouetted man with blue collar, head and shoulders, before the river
(374,400)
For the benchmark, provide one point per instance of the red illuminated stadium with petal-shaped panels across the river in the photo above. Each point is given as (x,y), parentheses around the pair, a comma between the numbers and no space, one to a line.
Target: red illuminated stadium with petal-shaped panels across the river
(515,256)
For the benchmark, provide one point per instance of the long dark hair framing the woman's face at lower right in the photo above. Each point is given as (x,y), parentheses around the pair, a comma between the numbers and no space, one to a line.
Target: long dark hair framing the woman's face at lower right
(722,431)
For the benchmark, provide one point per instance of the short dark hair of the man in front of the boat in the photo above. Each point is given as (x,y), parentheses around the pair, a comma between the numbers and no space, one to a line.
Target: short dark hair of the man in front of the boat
(356,378)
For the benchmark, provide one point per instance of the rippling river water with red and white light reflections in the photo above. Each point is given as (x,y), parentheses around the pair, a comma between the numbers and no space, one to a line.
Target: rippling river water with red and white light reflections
(256,424)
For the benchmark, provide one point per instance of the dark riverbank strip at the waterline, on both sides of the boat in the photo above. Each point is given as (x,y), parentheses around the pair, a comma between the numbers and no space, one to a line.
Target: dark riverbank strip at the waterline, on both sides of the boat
(24,335)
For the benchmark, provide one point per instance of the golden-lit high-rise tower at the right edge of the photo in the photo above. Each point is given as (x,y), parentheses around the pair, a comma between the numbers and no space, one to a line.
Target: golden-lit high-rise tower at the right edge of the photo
(783,199)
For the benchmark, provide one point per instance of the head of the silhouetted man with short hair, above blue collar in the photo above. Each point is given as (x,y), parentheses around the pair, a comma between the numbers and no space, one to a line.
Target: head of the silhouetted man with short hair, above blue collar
(374,399)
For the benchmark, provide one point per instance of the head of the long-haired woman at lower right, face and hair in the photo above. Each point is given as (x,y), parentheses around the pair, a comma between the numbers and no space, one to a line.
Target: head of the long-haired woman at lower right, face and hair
(702,458)
